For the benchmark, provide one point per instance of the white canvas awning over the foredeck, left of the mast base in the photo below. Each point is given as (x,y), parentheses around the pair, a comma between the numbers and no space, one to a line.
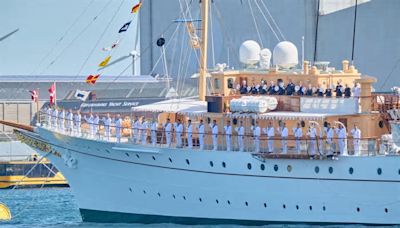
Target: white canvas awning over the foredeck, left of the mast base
(187,106)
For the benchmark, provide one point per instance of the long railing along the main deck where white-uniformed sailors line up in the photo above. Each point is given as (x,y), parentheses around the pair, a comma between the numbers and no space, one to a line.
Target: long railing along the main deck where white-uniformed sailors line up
(158,138)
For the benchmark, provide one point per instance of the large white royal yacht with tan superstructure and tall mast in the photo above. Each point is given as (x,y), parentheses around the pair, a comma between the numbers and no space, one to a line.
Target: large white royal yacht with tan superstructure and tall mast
(160,183)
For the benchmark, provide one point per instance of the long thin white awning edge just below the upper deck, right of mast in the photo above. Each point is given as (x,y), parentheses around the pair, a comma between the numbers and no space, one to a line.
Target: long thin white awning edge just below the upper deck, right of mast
(282,116)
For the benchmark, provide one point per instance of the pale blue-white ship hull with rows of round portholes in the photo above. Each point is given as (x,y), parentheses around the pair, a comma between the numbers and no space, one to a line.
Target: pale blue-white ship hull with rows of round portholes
(131,183)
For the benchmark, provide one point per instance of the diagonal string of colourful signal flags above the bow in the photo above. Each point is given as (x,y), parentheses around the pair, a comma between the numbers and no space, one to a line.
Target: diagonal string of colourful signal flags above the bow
(91,79)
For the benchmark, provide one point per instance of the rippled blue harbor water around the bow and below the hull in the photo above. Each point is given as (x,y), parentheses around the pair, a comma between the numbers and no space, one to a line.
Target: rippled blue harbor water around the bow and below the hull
(56,207)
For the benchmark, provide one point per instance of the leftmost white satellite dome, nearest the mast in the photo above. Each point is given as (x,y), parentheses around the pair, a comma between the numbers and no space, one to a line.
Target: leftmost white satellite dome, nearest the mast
(249,52)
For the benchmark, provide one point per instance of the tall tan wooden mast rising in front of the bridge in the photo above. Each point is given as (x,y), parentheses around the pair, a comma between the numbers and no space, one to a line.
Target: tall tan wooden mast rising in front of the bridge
(203,54)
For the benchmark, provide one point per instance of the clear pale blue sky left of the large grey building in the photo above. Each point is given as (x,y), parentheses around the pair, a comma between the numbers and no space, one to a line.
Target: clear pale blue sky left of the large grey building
(42,23)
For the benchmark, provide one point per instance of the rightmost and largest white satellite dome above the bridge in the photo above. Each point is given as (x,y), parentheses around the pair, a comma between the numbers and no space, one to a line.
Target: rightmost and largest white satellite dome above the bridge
(285,55)
